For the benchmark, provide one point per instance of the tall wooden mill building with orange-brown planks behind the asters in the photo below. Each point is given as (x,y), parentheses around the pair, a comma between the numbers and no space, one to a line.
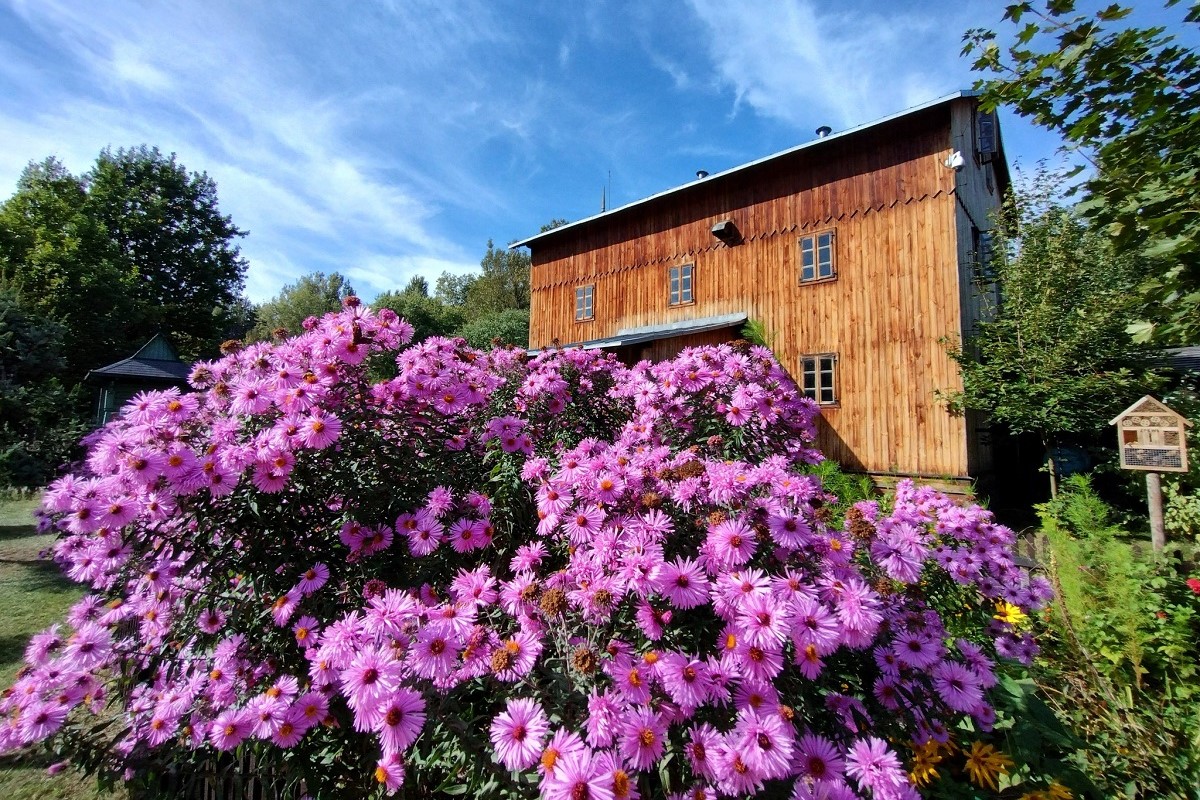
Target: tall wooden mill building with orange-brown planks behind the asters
(859,252)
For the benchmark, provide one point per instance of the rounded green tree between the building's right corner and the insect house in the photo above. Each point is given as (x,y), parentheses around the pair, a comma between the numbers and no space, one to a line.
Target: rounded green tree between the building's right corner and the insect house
(1054,358)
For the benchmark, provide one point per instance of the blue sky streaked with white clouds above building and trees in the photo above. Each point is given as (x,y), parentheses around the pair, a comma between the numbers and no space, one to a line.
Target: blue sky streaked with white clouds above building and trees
(385,140)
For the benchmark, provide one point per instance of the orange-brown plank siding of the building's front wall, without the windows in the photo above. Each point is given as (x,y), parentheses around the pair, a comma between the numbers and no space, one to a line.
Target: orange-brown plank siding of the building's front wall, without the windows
(890,202)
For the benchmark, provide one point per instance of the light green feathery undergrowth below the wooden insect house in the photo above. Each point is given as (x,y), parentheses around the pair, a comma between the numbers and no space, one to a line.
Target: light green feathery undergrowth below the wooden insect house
(1121,655)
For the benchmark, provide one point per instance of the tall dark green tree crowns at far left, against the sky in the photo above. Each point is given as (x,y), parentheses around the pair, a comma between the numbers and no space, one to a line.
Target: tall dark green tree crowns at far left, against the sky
(136,246)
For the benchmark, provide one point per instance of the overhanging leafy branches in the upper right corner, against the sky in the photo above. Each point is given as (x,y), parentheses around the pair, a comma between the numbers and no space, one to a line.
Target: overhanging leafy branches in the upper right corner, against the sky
(1129,99)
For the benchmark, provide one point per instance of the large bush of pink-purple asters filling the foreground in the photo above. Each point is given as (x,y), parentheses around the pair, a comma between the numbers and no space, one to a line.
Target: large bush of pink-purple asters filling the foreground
(551,576)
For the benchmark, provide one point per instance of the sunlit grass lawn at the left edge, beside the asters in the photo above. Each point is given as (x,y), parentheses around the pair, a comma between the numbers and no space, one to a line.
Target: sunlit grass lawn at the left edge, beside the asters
(33,596)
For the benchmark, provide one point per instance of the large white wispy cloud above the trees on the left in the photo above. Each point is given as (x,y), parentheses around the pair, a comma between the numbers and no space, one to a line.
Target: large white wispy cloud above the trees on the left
(289,158)
